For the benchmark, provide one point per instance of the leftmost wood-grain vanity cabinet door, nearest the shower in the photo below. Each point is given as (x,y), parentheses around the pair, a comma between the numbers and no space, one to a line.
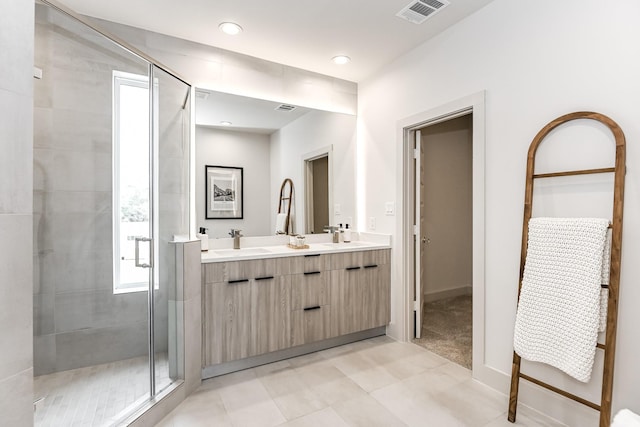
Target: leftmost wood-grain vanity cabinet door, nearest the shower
(226,321)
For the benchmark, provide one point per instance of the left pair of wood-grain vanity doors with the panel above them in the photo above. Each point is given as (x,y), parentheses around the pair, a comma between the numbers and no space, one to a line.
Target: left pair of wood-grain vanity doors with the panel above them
(245,309)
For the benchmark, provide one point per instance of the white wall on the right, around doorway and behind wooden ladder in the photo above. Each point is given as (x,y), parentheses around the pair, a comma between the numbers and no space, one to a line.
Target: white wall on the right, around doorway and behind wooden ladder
(536,61)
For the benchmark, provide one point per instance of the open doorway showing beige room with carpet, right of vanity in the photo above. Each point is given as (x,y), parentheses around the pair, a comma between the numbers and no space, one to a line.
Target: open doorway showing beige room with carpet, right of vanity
(444,202)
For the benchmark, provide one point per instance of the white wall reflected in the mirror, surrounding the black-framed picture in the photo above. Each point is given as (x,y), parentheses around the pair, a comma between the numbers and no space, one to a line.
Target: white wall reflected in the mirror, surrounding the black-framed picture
(238,149)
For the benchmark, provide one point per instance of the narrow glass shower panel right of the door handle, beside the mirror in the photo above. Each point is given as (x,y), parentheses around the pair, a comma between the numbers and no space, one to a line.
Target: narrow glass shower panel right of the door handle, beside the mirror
(171,220)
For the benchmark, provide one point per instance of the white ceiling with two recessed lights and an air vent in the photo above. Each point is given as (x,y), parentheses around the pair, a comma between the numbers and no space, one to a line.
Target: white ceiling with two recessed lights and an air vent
(299,33)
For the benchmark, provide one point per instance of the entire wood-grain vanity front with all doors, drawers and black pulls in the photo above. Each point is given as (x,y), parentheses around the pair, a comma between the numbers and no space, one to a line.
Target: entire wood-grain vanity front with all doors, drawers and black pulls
(255,307)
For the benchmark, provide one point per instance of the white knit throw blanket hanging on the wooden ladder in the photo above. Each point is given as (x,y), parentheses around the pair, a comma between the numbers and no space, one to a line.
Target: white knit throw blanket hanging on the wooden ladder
(559,308)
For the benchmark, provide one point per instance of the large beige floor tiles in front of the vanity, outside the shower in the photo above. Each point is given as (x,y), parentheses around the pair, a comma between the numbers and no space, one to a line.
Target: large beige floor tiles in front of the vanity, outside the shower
(376,382)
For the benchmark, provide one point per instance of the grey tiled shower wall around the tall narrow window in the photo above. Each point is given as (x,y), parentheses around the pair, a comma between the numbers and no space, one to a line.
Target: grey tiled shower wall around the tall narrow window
(78,321)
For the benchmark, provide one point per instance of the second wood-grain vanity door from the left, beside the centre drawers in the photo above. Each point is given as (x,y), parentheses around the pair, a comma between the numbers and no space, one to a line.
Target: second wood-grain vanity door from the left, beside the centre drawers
(270,314)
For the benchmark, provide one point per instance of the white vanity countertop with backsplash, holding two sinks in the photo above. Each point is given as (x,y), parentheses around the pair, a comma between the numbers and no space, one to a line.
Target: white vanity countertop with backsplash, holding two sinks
(276,246)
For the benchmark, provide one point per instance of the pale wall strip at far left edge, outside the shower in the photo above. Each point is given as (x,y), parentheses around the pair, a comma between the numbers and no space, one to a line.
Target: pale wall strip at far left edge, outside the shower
(16,207)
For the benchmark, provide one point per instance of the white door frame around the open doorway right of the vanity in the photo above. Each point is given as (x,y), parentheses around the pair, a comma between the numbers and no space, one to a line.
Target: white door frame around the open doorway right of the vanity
(474,104)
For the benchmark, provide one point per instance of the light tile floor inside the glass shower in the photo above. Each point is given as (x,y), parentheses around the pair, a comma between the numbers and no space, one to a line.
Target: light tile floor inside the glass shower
(95,395)
